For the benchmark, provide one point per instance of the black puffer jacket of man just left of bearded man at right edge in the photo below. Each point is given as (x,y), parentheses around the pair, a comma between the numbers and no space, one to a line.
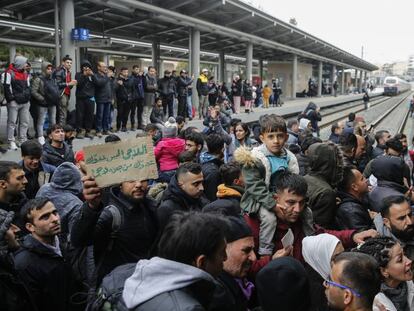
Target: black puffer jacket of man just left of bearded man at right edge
(352,214)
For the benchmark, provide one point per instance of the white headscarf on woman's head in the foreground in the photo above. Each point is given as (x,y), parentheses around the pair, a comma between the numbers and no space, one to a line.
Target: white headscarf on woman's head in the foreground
(317,251)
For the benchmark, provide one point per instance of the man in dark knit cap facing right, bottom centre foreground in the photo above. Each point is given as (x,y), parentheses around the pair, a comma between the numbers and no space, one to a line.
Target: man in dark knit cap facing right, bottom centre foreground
(234,291)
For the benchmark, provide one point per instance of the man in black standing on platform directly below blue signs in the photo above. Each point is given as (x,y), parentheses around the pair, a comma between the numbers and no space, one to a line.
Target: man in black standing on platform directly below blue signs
(85,101)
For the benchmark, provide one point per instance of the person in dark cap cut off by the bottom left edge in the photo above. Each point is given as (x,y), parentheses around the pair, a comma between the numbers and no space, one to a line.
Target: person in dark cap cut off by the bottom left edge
(13,293)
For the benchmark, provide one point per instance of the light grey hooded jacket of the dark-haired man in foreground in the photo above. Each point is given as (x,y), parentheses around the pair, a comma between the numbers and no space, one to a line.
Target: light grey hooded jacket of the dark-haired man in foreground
(161,284)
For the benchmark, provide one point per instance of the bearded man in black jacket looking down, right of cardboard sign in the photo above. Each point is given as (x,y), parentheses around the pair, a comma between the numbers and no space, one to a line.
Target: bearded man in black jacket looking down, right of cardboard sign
(184,193)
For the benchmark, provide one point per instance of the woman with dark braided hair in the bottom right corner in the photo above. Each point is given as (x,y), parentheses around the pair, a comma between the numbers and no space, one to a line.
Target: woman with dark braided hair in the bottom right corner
(397,288)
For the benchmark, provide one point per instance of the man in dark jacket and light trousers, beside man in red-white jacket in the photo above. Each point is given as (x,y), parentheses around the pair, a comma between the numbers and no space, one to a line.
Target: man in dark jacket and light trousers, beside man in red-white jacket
(45,95)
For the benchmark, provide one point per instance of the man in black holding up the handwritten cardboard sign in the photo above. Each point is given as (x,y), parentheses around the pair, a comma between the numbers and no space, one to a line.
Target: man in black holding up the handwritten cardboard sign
(137,230)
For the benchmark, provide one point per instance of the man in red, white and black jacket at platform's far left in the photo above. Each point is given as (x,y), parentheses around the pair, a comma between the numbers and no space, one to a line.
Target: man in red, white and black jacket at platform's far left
(17,92)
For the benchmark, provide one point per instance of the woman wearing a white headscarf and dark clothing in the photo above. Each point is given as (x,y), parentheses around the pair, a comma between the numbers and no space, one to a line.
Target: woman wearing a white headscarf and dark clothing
(318,251)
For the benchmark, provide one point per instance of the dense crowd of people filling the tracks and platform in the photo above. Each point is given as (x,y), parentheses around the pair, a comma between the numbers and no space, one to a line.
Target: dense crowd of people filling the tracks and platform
(263,217)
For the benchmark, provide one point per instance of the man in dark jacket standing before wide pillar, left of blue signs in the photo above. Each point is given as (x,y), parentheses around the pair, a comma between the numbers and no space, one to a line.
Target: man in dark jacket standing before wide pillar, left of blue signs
(65,83)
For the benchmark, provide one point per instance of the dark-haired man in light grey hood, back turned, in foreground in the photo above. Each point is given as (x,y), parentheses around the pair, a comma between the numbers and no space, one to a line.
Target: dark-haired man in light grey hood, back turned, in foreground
(190,254)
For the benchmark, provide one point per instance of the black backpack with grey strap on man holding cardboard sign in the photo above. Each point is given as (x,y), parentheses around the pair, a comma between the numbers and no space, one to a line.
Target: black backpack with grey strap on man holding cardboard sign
(81,258)
